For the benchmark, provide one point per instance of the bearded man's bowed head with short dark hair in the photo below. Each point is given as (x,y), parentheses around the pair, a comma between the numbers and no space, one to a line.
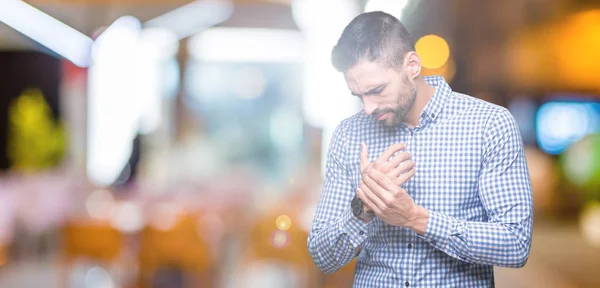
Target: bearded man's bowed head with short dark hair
(380,65)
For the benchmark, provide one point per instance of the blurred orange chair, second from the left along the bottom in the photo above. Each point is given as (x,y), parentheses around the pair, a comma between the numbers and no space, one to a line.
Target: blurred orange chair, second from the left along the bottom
(179,248)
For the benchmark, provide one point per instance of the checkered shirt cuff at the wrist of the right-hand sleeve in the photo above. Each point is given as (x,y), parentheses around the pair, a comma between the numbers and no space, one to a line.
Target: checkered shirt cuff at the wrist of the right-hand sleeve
(439,228)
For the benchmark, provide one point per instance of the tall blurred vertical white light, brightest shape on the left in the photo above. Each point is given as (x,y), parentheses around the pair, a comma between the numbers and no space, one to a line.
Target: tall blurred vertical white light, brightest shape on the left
(113,105)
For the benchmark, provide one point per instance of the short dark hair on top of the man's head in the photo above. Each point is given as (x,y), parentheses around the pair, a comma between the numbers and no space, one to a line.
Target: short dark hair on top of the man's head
(374,36)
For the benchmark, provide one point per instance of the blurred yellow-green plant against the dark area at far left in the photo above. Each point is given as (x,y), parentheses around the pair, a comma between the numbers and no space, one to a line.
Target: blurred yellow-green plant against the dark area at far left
(35,140)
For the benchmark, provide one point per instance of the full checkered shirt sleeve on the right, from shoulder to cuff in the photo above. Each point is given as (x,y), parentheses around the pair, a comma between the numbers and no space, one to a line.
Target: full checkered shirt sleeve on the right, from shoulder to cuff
(505,191)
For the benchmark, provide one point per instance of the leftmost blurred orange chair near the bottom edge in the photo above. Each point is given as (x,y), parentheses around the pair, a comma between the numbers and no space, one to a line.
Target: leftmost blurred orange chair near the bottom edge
(91,240)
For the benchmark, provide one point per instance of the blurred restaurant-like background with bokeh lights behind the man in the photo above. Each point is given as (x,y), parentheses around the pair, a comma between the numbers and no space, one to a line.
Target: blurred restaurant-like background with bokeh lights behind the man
(178,143)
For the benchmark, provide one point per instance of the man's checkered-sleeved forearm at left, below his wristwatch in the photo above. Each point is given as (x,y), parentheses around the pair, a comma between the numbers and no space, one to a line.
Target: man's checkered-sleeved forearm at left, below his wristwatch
(335,245)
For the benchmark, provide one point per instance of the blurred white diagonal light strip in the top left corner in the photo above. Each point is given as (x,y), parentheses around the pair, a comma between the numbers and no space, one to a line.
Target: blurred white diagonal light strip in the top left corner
(46,30)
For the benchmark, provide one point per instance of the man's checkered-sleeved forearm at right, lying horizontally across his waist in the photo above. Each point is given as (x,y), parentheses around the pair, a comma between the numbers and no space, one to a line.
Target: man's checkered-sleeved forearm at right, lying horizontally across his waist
(497,244)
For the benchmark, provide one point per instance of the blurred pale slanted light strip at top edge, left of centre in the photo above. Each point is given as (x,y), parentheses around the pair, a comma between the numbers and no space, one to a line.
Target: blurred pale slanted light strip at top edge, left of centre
(194,17)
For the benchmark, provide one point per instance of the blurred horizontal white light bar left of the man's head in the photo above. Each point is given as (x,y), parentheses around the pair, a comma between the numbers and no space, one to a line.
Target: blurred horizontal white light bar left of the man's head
(247,45)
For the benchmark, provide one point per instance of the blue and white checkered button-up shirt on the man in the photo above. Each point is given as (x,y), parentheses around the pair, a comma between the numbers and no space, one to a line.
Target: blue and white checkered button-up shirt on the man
(471,176)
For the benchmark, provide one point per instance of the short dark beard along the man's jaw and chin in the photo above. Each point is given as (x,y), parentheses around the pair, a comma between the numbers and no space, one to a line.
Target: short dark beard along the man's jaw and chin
(406,99)
